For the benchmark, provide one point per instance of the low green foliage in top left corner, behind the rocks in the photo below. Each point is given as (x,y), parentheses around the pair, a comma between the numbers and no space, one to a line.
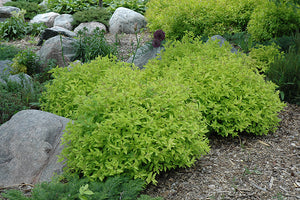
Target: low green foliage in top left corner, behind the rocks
(32,8)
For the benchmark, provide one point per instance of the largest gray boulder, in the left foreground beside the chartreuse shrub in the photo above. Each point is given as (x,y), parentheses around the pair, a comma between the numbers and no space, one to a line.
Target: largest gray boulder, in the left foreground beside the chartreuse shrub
(29,145)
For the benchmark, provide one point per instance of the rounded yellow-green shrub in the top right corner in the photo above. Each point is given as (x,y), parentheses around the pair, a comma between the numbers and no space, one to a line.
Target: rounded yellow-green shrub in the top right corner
(272,19)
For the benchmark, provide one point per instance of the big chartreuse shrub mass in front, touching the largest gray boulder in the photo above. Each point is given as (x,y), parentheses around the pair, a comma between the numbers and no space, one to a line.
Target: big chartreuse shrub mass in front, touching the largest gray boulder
(125,123)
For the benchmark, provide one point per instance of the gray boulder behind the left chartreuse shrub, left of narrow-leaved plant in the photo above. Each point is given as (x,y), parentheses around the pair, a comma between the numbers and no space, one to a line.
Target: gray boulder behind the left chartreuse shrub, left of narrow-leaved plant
(52,49)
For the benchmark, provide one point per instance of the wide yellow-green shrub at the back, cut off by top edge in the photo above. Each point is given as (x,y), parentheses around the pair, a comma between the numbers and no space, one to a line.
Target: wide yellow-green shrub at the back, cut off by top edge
(206,17)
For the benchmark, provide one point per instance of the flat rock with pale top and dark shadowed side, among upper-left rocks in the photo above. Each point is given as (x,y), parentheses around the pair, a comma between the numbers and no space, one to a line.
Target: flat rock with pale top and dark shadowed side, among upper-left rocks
(54,31)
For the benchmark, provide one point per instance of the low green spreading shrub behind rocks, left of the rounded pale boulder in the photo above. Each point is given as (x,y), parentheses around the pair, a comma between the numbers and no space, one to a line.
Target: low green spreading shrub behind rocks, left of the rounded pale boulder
(91,15)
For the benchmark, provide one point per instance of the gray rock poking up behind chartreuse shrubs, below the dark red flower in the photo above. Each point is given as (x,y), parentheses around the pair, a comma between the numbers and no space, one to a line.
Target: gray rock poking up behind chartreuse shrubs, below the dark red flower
(144,54)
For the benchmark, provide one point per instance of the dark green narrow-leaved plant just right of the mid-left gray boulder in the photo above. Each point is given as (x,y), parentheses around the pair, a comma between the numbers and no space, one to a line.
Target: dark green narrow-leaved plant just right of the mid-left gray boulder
(88,47)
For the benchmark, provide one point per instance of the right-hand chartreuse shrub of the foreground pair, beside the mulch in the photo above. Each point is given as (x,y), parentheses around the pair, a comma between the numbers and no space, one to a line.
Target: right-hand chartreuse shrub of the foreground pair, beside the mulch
(235,98)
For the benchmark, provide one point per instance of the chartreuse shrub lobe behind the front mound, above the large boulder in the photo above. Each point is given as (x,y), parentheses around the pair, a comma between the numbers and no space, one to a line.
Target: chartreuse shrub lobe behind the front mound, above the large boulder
(59,98)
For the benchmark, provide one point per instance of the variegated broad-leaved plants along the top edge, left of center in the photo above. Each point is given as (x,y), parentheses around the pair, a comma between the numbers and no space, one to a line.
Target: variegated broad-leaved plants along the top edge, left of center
(70,6)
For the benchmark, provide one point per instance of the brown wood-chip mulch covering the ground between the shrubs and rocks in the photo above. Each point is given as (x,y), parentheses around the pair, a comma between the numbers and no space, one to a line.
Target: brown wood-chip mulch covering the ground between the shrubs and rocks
(246,167)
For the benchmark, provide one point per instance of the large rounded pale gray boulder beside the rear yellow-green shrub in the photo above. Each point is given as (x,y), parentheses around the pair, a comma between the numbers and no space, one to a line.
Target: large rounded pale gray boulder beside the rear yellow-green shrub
(125,20)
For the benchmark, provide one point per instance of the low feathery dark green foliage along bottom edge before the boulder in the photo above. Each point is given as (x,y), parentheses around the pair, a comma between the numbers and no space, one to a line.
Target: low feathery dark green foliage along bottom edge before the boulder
(114,188)
